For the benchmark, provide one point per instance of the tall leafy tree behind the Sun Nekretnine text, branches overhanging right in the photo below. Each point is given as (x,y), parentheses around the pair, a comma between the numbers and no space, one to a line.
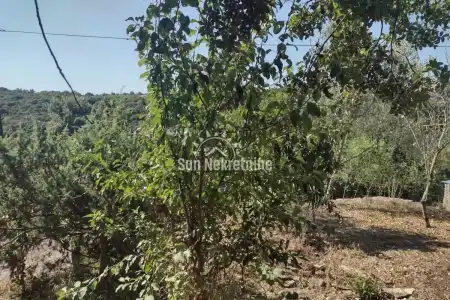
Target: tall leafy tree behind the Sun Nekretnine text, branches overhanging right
(204,222)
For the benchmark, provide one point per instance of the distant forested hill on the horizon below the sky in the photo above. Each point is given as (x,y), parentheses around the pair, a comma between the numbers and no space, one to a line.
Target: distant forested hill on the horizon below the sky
(24,106)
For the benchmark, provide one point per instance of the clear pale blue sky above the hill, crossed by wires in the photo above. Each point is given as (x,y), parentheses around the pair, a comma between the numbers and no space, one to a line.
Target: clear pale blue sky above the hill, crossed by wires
(91,65)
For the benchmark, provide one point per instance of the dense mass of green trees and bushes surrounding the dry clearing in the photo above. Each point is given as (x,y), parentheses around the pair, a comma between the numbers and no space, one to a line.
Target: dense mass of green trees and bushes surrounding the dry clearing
(134,225)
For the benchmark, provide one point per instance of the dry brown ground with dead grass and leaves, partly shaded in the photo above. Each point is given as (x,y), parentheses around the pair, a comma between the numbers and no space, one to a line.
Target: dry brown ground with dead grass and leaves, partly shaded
(380,238)
